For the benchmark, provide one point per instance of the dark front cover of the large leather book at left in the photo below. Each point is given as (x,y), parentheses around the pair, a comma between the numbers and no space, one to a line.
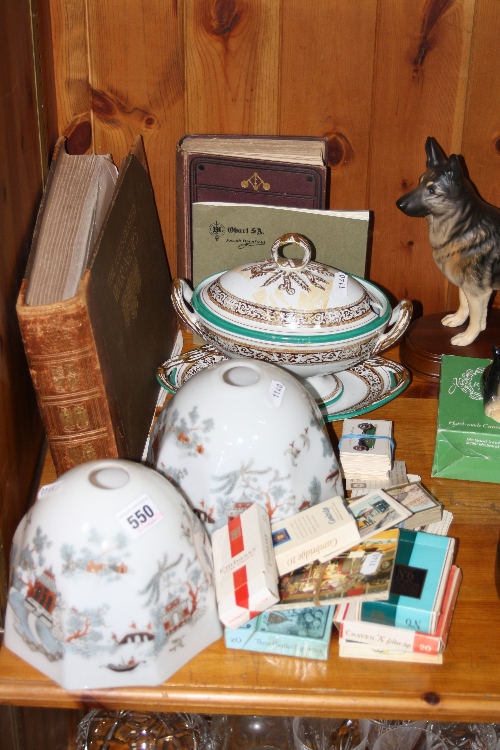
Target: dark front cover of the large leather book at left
(131,285)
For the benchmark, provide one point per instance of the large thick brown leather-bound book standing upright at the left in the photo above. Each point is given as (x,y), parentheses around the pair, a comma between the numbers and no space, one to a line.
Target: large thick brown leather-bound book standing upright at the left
(94,308)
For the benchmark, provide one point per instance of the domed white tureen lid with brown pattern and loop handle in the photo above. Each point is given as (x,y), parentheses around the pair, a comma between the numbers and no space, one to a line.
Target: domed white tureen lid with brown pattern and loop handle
(287,296)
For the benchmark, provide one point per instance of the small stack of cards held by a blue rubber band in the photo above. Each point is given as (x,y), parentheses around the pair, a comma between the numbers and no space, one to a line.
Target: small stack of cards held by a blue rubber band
(366,448)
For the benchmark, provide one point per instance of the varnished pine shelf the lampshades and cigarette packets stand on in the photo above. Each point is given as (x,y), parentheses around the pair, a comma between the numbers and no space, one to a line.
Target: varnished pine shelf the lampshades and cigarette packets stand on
(465,687)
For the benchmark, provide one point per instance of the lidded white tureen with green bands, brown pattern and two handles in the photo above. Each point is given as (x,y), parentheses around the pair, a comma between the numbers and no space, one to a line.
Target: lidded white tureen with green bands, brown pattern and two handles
(307,317)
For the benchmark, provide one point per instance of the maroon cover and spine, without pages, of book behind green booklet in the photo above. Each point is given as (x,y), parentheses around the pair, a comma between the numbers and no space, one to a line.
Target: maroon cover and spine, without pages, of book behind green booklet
(237,179)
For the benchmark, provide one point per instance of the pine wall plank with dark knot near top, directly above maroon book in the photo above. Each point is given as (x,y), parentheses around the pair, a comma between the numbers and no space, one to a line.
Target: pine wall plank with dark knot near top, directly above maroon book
(232,53)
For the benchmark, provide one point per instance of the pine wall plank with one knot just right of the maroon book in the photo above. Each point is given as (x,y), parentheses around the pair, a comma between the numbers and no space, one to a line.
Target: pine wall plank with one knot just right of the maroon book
(339,108)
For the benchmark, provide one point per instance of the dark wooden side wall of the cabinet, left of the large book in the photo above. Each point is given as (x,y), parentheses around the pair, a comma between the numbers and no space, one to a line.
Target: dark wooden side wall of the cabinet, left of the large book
(21,160)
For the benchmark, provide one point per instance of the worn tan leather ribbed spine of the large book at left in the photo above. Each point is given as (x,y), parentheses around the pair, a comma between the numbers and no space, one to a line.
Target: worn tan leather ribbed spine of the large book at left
(70,386)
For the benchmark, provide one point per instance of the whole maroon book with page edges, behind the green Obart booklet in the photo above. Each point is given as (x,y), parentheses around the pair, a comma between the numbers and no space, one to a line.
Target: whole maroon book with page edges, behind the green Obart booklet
(266,170)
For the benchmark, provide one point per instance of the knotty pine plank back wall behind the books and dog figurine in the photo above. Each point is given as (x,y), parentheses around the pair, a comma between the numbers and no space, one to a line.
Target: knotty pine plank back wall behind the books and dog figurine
(375,76)
